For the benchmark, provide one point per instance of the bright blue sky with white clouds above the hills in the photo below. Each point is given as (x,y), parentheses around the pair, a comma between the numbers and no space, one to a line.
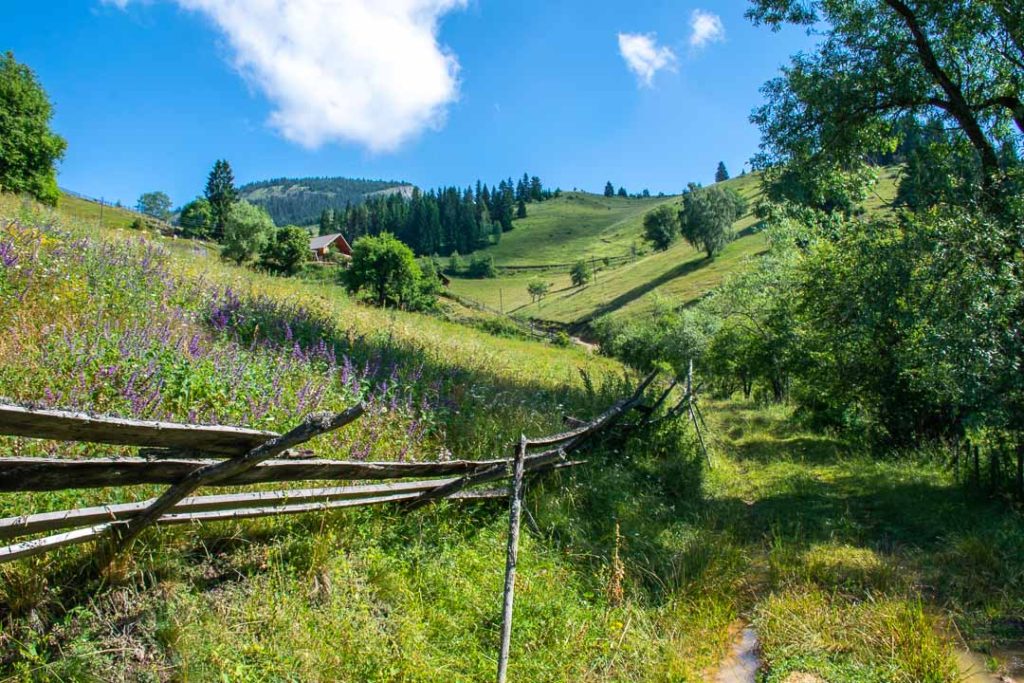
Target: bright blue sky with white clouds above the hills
(149,94)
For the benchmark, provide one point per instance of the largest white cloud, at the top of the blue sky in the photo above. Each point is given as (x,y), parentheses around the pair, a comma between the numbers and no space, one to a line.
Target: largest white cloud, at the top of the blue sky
(369,72)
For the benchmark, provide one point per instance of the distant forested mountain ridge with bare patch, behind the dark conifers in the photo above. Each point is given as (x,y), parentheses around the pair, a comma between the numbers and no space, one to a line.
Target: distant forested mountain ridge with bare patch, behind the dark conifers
(302,201)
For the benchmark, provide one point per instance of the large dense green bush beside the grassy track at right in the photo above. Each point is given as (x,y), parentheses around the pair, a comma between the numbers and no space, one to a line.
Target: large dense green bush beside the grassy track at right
(921,320)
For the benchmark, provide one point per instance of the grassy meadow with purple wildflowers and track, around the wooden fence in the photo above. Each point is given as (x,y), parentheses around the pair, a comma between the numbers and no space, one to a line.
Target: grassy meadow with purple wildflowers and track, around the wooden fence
(643,566)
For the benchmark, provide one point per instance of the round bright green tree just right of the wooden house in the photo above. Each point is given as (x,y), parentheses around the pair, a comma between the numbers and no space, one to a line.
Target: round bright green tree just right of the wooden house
(386,268)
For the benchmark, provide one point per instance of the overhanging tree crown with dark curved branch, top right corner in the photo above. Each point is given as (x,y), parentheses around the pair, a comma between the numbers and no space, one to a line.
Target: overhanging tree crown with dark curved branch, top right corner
(876,65)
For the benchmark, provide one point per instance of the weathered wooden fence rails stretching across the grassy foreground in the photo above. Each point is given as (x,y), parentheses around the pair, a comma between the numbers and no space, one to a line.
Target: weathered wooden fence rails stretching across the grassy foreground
(190,457)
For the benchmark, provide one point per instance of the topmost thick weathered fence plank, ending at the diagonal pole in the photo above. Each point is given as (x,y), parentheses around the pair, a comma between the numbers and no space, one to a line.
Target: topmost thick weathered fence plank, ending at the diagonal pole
(20,421)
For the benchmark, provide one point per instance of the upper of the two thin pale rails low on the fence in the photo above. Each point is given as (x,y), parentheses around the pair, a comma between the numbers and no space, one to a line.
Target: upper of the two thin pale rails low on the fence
(50,522)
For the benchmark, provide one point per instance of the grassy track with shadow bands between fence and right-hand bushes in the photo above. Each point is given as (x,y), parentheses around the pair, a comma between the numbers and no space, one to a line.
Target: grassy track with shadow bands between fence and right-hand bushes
(863,569)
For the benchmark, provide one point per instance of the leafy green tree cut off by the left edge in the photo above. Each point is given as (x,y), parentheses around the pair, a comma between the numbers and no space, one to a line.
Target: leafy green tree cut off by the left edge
(29,150)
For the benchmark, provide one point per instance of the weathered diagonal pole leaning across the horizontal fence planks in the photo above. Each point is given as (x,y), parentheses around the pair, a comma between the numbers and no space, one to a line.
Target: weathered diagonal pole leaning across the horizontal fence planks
(312,426)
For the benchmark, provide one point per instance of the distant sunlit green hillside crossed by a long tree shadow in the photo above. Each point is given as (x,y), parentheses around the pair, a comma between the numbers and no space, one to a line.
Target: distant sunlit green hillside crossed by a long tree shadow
(584,226)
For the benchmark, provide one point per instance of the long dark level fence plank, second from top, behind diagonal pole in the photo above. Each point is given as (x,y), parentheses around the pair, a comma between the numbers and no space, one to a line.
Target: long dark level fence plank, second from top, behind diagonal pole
(25,475)
